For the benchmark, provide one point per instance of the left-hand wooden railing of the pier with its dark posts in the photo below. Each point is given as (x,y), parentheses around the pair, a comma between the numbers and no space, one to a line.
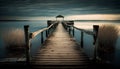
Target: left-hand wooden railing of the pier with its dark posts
(31,35)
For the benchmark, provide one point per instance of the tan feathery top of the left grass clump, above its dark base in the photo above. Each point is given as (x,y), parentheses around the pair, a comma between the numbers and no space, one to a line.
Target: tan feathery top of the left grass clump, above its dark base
(14,39)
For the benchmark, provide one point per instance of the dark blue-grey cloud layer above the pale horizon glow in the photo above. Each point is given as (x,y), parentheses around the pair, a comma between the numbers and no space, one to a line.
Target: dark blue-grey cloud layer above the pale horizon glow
(55,7)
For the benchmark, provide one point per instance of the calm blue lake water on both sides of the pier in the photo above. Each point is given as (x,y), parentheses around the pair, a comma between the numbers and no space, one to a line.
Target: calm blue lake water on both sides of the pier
(6,26)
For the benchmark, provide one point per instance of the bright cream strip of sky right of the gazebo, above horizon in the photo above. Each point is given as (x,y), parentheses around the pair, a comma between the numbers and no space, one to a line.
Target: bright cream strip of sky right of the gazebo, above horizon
(94,17)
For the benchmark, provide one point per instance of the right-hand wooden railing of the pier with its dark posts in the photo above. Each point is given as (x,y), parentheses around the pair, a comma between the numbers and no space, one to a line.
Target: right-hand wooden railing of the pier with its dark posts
(69,26)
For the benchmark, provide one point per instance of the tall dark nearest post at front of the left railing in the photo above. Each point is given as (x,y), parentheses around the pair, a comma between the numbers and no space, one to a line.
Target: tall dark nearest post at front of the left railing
(26,30)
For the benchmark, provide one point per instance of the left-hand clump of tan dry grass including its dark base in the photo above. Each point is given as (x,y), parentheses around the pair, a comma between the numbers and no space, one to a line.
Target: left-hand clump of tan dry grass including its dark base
(14,42)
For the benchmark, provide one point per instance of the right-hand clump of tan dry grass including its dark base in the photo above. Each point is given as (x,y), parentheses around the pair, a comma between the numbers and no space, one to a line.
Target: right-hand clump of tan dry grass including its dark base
(107,37)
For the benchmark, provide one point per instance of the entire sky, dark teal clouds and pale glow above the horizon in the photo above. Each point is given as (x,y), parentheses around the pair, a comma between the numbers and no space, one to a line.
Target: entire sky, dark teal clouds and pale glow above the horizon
(71,9)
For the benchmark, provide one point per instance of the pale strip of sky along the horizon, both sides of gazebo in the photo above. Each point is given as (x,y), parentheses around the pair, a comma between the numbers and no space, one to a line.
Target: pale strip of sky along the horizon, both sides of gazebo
(70,17)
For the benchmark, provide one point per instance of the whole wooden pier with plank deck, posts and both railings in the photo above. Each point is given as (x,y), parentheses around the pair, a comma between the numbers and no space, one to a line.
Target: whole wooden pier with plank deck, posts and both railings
(60,50)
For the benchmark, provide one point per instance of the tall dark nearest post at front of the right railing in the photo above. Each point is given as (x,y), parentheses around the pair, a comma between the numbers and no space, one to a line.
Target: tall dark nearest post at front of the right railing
(95,30)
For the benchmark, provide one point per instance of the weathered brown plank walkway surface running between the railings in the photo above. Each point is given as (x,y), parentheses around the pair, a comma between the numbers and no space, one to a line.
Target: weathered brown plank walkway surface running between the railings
(60,49)
